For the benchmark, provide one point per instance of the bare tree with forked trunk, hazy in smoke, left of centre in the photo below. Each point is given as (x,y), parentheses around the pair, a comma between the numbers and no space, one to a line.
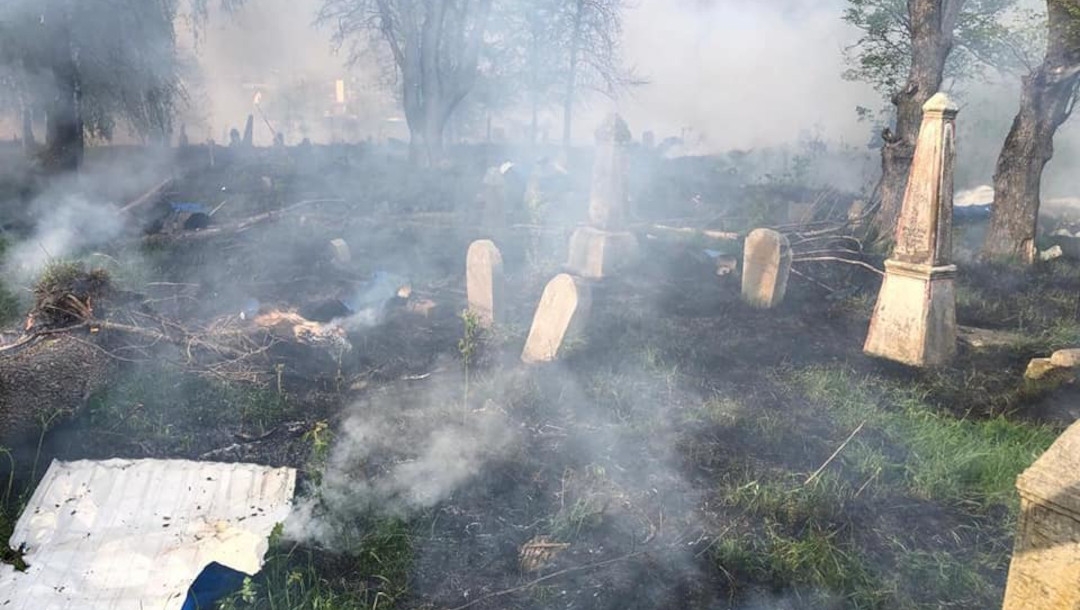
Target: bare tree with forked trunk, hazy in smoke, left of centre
(436,48)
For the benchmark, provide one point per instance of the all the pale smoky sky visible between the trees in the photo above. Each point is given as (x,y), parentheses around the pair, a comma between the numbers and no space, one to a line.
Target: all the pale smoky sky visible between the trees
(738,74)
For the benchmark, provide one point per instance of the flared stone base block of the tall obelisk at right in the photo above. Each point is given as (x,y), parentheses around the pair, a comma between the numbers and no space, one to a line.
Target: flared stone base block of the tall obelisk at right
(915,318)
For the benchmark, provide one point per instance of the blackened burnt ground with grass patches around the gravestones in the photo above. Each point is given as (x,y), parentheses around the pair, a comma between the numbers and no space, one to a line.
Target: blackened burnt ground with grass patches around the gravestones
(681,456)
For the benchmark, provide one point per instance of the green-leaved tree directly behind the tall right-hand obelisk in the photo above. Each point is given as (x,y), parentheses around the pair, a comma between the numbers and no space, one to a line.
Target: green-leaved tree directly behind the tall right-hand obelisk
(906,52)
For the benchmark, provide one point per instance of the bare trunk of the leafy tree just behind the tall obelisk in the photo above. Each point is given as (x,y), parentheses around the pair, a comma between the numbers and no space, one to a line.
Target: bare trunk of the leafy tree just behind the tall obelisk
(933,26)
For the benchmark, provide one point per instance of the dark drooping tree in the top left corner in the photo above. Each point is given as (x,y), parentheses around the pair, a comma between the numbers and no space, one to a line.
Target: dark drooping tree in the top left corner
(88,64)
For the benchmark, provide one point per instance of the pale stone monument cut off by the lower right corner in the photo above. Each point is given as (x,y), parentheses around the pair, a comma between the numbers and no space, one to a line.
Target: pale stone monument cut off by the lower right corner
(1045,574)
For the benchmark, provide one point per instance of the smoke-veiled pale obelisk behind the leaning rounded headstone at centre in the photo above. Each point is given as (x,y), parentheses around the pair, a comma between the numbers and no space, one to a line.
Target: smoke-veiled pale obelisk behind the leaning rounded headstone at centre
(604,247)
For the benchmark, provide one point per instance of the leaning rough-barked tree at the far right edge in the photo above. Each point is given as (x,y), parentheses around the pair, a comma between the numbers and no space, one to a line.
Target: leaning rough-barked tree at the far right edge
(1048,97)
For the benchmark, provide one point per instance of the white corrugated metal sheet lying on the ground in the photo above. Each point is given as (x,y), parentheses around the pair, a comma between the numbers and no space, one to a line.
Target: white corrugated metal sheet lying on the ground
(134,535)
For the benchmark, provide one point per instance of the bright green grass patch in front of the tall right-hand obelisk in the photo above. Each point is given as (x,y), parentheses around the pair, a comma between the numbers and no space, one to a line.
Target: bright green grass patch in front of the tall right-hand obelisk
(936,456)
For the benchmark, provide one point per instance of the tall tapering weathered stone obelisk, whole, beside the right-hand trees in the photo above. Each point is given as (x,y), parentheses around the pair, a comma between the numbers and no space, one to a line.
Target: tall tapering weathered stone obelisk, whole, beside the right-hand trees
(915,319)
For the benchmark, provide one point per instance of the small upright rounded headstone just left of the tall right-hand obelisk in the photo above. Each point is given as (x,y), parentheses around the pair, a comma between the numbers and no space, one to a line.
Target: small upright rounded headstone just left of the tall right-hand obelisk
(767,263)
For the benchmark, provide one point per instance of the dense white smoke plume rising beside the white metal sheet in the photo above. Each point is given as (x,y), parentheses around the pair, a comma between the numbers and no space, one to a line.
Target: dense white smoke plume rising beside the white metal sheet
(403,451)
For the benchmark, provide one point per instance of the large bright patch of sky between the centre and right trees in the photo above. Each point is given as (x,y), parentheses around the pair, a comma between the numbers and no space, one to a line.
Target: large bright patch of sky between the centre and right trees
(745,74)
